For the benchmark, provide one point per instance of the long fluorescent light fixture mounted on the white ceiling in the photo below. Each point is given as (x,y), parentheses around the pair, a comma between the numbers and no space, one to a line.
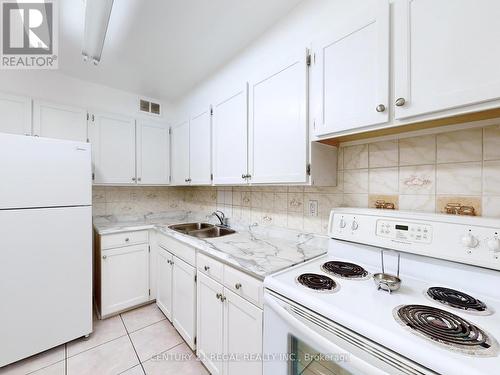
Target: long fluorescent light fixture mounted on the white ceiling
(97,14)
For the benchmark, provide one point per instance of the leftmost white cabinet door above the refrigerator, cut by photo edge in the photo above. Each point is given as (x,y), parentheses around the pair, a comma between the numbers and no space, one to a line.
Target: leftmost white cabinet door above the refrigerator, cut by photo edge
(15,114)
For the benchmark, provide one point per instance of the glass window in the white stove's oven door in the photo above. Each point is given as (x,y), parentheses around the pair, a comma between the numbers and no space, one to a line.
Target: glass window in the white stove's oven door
(307,361)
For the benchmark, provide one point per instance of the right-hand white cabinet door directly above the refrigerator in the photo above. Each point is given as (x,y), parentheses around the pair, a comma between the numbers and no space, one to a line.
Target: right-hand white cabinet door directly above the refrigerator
(59,121)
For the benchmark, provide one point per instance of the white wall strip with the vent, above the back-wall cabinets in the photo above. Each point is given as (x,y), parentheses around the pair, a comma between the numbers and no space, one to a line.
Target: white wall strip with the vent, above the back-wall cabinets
(59,88)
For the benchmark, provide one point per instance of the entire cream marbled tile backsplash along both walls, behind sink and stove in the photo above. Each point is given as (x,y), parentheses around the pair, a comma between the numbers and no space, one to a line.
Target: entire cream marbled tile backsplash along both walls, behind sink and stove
(422,173)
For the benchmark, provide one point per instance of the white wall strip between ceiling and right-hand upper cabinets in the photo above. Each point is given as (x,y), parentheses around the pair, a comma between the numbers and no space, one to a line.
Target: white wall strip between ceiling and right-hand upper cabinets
(293,34)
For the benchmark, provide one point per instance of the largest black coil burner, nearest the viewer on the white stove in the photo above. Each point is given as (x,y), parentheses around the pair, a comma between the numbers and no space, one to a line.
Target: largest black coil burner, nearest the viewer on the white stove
(446,329)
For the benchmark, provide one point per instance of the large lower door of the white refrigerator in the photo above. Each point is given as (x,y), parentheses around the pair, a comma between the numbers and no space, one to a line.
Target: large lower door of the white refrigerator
(45,279)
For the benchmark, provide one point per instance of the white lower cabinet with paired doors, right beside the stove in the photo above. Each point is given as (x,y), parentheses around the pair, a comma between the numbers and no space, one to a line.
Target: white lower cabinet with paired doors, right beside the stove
(228,325)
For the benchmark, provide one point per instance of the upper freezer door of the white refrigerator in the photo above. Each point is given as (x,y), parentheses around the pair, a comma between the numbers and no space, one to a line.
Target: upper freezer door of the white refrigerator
(43,172)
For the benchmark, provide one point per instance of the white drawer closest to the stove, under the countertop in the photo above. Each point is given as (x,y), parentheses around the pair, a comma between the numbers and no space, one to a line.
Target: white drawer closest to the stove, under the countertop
(244,285)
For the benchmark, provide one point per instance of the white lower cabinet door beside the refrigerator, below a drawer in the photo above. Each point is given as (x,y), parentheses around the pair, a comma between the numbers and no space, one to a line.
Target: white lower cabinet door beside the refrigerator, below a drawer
(124,278)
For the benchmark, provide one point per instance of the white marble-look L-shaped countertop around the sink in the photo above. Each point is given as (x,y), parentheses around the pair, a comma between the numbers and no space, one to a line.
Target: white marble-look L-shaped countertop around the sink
(254,249)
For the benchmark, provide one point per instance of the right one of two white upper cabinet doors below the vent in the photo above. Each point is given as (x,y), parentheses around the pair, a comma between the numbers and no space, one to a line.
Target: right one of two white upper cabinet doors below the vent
(153,153)
